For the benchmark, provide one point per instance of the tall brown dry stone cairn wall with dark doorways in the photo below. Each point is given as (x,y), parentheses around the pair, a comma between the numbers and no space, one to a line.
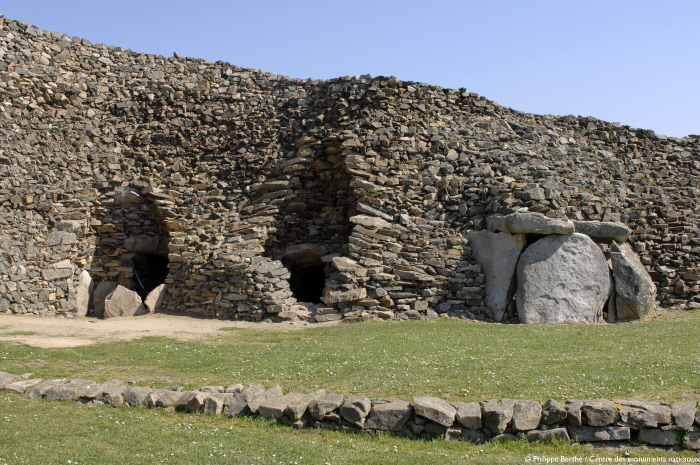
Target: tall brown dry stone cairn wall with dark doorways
(356,193)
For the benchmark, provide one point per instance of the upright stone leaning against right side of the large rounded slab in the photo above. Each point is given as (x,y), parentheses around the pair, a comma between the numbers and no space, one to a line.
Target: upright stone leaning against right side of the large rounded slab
(635,292)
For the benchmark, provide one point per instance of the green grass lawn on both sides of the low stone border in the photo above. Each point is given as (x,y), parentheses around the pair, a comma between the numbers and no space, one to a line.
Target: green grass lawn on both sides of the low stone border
(446,358)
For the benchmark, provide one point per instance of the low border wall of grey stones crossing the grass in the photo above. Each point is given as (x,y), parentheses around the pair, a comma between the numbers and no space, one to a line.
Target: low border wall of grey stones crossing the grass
(652,423)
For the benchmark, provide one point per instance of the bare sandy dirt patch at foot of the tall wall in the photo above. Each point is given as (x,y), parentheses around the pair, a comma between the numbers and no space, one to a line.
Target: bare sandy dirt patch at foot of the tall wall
(48,332)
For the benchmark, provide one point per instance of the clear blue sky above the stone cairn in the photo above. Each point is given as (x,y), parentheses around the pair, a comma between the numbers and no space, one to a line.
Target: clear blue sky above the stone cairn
(634,62)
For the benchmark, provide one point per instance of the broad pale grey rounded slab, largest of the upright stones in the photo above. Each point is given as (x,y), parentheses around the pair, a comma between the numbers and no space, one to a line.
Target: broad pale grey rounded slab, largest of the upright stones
(562,279)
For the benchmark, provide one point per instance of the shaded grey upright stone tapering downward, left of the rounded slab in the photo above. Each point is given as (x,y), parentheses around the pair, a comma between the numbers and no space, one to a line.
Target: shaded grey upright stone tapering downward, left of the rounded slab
(498,254)
